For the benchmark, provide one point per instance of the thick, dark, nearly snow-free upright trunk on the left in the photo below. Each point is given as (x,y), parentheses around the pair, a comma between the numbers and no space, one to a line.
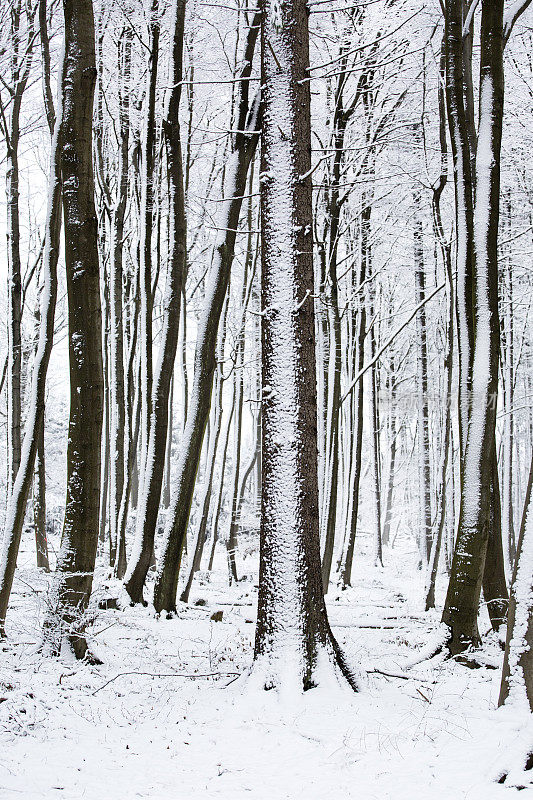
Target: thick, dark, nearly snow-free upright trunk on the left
(79,542)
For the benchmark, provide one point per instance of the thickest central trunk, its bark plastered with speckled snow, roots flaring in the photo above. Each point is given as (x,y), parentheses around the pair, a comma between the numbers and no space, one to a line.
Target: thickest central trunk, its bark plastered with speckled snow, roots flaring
(294,646)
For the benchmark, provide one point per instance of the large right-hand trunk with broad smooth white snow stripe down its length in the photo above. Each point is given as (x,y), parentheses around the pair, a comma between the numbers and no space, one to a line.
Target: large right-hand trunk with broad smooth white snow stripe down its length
(462,600)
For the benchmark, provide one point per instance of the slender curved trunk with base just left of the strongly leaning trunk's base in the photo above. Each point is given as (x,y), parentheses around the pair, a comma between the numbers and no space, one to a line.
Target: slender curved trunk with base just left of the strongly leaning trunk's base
(152,481)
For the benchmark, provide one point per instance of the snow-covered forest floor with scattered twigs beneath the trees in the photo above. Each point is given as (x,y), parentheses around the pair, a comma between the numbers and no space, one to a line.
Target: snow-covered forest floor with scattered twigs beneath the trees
(136,727)
